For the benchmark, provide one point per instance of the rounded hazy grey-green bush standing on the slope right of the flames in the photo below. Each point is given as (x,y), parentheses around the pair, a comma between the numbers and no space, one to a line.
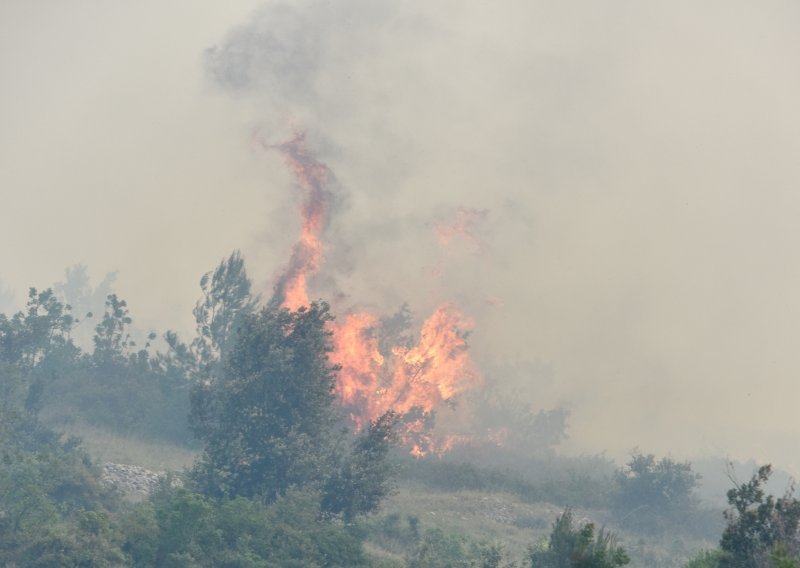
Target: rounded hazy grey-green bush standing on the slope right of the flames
(652,493)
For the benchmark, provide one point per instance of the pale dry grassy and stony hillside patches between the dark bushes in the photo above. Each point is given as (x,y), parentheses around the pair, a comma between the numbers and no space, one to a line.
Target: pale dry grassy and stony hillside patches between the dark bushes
(438,503)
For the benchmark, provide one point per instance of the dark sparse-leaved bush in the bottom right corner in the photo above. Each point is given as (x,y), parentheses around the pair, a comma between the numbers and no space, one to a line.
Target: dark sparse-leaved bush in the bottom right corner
(760,526)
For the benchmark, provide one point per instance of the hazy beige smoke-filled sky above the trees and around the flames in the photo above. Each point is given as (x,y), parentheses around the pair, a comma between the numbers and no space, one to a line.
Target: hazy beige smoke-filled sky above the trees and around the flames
(627,171)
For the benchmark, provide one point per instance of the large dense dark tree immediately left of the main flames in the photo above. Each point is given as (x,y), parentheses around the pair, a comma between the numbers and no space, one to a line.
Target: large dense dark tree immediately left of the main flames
(265,422)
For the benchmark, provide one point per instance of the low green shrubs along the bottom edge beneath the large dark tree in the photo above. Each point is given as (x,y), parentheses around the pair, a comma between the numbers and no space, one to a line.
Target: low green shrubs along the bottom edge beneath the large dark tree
(181,528)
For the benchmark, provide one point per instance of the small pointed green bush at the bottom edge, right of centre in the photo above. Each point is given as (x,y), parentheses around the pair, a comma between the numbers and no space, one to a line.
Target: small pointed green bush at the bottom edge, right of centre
(578,547)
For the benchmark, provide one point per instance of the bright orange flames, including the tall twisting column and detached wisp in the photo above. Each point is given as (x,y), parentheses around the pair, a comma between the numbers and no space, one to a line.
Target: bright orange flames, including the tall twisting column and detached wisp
(414,380)
